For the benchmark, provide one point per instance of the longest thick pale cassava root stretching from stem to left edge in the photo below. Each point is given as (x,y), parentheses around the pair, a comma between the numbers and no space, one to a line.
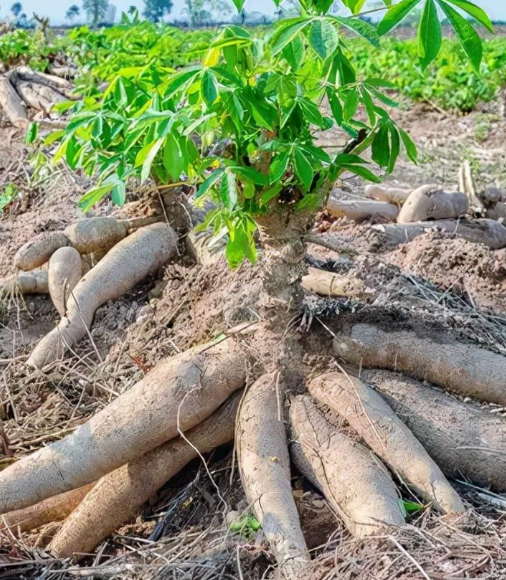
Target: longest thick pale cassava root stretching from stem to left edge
(190,386)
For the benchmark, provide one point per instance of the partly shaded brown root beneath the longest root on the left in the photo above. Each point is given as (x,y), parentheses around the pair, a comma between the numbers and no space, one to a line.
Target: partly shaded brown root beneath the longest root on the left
(118,496)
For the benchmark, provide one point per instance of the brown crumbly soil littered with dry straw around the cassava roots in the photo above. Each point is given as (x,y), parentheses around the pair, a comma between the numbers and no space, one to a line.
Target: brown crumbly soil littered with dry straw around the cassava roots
(183,533)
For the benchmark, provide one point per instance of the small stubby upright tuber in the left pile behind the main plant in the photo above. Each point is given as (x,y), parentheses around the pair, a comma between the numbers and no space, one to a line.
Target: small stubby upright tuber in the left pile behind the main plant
(65,271)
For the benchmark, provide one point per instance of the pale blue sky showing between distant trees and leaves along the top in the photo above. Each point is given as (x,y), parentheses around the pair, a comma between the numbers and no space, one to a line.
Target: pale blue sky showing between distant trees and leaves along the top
(56,9)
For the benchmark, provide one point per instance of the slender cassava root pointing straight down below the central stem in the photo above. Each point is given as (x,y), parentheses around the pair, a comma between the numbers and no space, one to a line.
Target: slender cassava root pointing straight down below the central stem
(265,473)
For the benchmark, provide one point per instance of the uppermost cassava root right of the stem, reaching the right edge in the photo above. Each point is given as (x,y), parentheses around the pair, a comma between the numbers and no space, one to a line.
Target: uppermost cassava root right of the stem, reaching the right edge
(463,368)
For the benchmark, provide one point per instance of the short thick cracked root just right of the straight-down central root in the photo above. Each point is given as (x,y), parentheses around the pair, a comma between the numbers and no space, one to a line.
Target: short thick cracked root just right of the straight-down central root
(358,488)
